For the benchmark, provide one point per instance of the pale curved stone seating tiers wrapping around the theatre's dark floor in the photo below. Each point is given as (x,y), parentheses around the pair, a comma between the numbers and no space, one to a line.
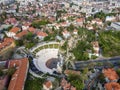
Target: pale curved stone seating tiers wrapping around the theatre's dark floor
(45,52)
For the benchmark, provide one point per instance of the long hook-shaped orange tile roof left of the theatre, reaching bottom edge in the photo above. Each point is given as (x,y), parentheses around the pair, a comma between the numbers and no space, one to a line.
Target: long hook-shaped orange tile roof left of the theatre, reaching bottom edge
(18,78)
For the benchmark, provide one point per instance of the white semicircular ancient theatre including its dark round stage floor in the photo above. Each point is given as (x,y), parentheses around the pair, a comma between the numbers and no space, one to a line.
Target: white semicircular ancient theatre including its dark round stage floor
(47,58)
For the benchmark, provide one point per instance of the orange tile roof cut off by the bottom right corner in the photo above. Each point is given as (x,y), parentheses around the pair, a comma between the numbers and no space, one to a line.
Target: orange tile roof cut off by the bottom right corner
(112,86)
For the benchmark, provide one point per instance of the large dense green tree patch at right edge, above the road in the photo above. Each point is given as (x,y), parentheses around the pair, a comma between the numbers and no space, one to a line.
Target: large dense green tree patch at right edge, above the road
(109,43)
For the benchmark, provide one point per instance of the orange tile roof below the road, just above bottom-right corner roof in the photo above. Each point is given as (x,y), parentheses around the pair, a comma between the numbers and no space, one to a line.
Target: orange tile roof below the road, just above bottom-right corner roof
(110,74)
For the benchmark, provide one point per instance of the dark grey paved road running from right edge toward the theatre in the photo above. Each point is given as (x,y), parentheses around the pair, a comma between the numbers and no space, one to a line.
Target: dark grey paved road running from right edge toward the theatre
(82,64)
